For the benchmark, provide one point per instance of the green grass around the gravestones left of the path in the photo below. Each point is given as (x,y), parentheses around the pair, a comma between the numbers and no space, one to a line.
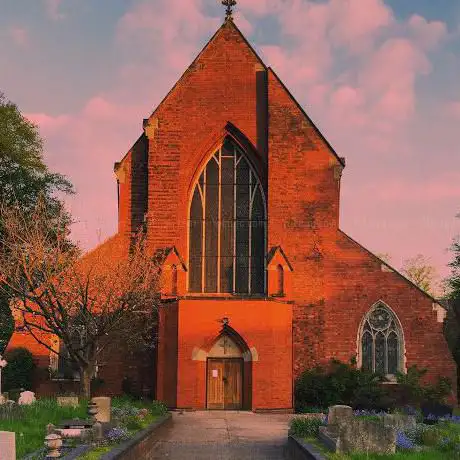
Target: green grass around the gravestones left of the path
(29,422)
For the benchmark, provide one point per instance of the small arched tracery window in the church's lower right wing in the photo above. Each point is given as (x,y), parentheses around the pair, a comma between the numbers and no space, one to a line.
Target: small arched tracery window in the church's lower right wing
(381,341)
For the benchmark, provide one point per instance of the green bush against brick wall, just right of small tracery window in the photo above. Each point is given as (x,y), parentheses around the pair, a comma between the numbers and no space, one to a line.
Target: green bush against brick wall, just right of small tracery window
(414,391)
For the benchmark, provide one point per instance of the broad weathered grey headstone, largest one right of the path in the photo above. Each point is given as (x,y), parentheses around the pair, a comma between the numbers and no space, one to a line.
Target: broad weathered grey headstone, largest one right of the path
(369,436)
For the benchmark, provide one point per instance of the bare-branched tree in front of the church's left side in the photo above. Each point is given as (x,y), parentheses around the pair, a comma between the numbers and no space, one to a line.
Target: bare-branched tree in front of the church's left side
(87,302)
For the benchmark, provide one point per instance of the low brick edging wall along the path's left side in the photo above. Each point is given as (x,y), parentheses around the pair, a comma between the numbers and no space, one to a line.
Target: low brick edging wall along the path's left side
(138,446)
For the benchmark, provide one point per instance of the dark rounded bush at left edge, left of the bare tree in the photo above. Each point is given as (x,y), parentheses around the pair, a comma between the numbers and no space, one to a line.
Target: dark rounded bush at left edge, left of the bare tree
(19,371)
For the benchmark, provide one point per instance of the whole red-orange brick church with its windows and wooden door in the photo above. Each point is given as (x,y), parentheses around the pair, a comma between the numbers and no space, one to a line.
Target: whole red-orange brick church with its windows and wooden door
(239,190)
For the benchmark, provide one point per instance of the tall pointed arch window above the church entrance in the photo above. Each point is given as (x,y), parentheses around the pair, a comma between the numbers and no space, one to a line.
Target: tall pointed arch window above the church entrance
(227,226)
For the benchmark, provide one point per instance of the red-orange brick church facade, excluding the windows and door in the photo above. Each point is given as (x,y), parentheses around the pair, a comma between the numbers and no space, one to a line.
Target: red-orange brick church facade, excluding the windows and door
(329,282)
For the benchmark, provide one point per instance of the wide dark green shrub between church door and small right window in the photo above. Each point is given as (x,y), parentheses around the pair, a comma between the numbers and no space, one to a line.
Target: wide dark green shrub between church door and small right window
(339,383)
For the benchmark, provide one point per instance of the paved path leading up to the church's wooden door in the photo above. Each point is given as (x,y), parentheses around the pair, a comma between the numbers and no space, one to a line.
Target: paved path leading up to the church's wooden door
(222,435)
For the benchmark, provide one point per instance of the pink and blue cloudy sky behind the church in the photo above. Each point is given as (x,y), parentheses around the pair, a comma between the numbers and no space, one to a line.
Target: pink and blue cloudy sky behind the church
(379,83)
